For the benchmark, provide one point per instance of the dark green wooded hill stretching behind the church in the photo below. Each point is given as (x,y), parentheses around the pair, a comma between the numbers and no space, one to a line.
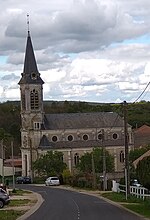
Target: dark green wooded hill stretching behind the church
(138,114)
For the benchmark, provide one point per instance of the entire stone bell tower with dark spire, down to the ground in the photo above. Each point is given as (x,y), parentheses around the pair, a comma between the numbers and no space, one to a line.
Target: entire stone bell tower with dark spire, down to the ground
(32,115)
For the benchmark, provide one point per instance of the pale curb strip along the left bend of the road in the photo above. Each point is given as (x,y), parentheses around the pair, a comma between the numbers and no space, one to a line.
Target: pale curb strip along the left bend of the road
(33,208)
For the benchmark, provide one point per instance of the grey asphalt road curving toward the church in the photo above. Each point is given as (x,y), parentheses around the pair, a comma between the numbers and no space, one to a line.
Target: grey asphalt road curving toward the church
(61,204)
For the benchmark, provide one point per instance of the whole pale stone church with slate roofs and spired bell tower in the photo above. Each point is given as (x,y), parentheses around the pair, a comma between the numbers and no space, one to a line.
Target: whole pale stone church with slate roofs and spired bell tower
(73,134)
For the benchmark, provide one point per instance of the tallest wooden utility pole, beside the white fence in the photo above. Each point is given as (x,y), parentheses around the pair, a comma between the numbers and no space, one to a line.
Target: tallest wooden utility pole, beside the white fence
(127,176)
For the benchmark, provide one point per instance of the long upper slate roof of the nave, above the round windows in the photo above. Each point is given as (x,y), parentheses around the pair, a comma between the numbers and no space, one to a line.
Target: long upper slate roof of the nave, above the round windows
(82,120)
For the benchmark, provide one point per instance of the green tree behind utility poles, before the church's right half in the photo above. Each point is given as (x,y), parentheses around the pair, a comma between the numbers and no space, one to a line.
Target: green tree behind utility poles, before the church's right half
(85,163)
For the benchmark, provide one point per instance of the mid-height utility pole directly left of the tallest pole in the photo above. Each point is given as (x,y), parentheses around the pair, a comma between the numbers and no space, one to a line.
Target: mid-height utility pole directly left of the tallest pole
(104,161)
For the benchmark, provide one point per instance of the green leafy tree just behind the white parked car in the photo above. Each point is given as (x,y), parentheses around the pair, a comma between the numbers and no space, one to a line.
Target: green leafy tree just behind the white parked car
(50,164)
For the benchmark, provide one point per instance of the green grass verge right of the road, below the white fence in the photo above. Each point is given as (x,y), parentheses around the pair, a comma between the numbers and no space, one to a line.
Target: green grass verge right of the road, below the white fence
(137,205)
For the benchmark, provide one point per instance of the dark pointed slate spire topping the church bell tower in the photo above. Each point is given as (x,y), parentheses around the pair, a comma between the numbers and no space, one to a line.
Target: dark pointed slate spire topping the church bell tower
(30,66)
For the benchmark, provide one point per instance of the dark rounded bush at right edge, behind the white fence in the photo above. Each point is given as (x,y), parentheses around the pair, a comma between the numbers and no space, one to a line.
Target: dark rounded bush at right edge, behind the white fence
(143,172)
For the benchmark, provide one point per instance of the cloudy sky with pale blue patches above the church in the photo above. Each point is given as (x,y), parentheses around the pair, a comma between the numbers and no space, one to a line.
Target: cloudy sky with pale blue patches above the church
(86,50)
